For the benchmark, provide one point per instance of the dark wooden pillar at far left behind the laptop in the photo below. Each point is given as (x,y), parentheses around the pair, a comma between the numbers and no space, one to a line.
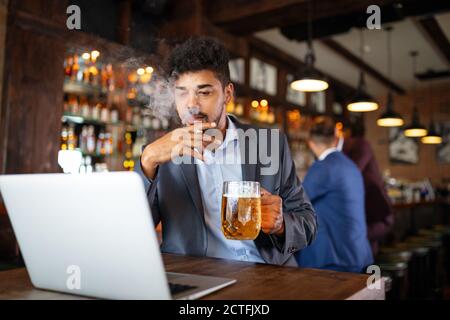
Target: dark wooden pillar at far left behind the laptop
(32,94)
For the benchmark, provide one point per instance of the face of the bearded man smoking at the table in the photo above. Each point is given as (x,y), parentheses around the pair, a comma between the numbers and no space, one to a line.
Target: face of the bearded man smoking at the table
(200,96)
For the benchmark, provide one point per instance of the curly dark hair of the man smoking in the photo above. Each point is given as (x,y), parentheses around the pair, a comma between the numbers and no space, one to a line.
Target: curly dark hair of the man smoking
(200,53)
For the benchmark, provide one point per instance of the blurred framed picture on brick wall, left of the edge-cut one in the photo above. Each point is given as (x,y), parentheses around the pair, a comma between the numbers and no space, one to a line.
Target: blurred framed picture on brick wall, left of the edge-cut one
(402,150)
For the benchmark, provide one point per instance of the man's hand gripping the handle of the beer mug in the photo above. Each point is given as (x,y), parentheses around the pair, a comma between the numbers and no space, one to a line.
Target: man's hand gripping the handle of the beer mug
(272,221)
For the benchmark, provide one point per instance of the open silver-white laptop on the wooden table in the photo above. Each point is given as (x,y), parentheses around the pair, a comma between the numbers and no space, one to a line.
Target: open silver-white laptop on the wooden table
(93,235)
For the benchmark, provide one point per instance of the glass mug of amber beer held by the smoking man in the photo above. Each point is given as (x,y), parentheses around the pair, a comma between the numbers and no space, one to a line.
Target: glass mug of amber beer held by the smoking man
(241,210)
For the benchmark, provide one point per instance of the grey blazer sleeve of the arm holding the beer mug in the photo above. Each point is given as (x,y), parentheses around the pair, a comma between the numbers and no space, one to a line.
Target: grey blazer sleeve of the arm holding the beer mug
(299,216)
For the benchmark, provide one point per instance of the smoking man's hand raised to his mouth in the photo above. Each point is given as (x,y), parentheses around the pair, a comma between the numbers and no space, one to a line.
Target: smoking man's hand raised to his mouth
(181,141)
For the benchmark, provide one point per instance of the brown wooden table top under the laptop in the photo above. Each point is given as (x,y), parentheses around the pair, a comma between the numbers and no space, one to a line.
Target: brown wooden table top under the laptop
(254,281)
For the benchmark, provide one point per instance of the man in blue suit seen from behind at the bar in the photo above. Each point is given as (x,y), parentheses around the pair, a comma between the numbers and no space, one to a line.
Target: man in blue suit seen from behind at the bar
(335,187)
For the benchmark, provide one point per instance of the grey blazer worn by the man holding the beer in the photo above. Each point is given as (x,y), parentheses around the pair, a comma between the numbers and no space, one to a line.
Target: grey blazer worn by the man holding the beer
(175,200)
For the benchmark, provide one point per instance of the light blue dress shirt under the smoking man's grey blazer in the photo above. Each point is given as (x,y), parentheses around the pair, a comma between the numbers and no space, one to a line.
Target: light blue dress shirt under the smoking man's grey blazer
(222,165)
